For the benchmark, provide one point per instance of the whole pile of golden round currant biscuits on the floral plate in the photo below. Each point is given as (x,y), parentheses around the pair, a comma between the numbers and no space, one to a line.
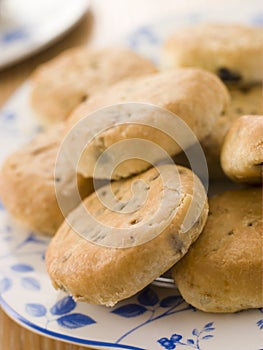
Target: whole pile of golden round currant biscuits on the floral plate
(211,78)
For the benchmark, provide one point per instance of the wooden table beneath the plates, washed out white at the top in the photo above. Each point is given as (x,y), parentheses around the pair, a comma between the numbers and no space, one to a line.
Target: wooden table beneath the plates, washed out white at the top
(104,23)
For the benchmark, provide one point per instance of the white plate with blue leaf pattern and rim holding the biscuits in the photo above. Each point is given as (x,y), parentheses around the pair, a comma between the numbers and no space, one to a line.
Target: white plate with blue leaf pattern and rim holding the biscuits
(155,318)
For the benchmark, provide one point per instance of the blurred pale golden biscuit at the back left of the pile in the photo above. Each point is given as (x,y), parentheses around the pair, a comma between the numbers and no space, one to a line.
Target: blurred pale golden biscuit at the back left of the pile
(64,82)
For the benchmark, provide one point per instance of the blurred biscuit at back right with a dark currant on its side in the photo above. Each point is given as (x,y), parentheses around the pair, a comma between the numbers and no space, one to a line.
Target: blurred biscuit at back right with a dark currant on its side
(232,51)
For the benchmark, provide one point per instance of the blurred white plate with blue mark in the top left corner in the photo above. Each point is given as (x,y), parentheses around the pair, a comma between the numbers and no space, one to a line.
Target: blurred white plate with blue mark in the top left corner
(28,26)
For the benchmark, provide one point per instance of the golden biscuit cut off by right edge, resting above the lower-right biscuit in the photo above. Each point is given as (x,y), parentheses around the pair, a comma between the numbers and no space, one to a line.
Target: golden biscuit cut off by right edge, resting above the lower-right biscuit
(242,151)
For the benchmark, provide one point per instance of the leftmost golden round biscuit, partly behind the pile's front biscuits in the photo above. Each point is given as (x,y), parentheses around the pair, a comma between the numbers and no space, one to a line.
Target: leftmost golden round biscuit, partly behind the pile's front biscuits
(27,183)
